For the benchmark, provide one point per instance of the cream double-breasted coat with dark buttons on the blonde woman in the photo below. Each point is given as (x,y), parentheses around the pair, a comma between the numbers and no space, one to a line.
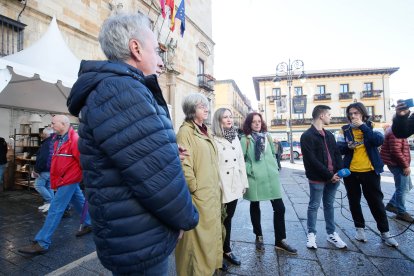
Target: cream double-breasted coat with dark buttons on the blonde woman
(232,169)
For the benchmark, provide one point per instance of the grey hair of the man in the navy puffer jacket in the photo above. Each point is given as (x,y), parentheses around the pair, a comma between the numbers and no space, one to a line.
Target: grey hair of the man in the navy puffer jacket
(118,30)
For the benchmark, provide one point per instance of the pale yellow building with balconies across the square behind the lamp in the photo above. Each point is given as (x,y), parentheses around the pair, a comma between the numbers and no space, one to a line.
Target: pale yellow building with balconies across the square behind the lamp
(335,88)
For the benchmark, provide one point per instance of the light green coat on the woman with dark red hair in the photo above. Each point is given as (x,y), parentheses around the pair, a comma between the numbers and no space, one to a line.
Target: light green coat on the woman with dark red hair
(263,175)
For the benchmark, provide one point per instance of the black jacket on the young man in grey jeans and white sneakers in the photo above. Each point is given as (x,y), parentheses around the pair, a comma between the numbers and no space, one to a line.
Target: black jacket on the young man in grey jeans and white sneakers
(315,158)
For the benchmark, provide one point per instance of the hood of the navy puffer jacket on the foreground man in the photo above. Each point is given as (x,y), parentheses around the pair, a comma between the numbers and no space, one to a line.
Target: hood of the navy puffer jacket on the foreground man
(91,73)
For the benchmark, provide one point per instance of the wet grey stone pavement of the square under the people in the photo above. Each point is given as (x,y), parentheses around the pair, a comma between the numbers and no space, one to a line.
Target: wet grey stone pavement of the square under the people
(19,221)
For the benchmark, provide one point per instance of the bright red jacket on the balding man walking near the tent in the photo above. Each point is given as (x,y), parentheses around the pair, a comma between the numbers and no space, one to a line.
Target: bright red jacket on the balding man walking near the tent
(65,168)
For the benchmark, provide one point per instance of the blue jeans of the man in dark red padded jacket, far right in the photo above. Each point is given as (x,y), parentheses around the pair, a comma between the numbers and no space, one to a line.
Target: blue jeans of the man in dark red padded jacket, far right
(402,187)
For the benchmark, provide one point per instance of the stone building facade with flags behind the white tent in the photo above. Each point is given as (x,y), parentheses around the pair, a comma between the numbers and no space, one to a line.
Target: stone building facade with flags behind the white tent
(189,59)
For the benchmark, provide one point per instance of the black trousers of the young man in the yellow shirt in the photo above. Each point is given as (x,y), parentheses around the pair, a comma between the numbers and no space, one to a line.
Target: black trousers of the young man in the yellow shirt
(371,187)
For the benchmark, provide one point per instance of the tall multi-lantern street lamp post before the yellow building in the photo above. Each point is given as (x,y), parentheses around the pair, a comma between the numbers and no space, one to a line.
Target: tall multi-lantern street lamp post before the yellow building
(288,70)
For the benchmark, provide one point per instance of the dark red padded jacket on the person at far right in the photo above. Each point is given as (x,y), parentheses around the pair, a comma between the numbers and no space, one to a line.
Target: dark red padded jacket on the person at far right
(395,151)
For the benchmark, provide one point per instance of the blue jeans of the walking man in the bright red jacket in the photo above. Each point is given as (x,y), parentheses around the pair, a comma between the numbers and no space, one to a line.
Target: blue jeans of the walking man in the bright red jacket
(64,195)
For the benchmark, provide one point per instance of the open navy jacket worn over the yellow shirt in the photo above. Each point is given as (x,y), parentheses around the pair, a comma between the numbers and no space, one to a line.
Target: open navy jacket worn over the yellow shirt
(372,140)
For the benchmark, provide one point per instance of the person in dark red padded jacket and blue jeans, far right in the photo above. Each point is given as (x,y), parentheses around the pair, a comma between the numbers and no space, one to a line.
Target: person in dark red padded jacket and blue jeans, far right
(395,153)
